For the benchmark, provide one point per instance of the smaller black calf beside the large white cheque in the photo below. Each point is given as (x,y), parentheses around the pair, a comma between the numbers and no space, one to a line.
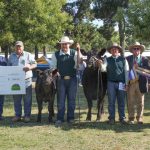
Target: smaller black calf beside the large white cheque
(45,89)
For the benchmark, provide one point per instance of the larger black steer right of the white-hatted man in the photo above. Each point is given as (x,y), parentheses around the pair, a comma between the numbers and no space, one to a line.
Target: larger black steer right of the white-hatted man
(94,85)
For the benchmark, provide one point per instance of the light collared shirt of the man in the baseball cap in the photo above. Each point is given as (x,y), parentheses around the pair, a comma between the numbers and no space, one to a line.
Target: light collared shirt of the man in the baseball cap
(24,59)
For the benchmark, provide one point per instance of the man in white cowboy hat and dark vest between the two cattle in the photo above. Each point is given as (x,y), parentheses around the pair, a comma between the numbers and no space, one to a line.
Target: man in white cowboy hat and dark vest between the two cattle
(66,61)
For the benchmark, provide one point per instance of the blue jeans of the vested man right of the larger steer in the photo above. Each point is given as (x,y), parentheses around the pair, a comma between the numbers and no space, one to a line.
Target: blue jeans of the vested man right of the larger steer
(113,94)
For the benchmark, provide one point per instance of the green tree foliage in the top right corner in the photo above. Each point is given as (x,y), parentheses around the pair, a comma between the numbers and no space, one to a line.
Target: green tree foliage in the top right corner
(139,23)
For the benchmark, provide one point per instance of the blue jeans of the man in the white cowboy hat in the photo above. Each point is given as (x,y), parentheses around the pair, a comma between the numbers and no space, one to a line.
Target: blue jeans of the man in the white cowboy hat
(66,89)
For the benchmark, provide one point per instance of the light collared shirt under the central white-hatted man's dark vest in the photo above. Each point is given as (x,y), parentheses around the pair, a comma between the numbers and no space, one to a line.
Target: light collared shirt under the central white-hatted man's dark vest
(54,60)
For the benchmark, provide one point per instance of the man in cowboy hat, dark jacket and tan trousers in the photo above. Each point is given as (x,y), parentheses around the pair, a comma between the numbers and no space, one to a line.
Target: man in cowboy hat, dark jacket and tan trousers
(137,83)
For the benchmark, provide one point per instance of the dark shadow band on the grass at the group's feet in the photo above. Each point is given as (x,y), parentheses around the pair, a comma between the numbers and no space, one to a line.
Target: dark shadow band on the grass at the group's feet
(117,127)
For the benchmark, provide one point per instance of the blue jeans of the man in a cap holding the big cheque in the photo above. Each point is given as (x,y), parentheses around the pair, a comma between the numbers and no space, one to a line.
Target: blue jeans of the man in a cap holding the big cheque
(27,98)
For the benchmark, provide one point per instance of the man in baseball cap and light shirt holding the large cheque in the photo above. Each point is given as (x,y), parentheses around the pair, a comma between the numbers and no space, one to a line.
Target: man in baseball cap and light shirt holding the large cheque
(26,60)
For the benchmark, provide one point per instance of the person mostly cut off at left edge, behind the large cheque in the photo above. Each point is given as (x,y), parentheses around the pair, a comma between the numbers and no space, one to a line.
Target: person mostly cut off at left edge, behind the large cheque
(3,62)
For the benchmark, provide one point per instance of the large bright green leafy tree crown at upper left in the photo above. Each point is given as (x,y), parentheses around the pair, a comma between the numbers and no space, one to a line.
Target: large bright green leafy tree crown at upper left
(37,22)
